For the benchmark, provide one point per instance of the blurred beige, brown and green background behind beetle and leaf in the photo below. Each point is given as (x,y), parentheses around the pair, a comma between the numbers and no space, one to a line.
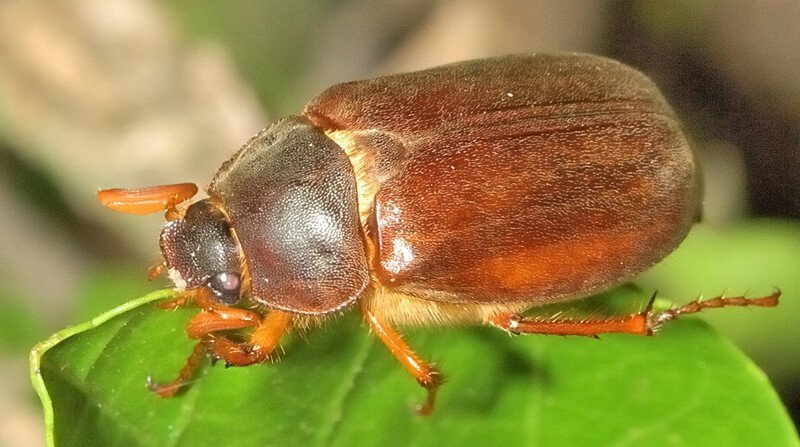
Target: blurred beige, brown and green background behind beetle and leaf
(97,93)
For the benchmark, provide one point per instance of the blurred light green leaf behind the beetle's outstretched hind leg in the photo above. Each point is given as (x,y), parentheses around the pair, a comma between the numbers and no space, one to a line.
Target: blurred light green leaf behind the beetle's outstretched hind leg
(752,257)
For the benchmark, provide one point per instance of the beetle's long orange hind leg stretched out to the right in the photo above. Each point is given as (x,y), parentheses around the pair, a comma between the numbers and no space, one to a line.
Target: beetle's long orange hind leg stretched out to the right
(642,323)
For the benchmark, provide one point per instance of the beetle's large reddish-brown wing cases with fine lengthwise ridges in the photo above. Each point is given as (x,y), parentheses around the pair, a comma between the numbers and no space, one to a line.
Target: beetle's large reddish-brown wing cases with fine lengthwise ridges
(523,178)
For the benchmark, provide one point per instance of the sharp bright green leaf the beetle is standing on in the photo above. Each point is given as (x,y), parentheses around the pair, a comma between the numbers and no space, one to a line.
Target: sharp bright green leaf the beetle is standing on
(337,385)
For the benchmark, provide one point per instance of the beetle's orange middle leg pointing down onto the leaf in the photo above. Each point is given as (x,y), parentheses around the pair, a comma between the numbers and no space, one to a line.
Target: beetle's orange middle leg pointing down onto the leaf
(427,376)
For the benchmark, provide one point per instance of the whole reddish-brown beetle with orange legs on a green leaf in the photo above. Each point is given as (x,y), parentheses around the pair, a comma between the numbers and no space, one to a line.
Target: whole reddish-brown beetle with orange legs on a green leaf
(466,193)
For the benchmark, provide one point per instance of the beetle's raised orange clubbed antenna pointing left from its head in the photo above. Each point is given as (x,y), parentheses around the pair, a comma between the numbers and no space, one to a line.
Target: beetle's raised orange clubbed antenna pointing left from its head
(147,200)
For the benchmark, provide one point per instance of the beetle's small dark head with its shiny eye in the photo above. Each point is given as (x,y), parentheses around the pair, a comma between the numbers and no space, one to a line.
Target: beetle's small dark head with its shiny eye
(201,251)
